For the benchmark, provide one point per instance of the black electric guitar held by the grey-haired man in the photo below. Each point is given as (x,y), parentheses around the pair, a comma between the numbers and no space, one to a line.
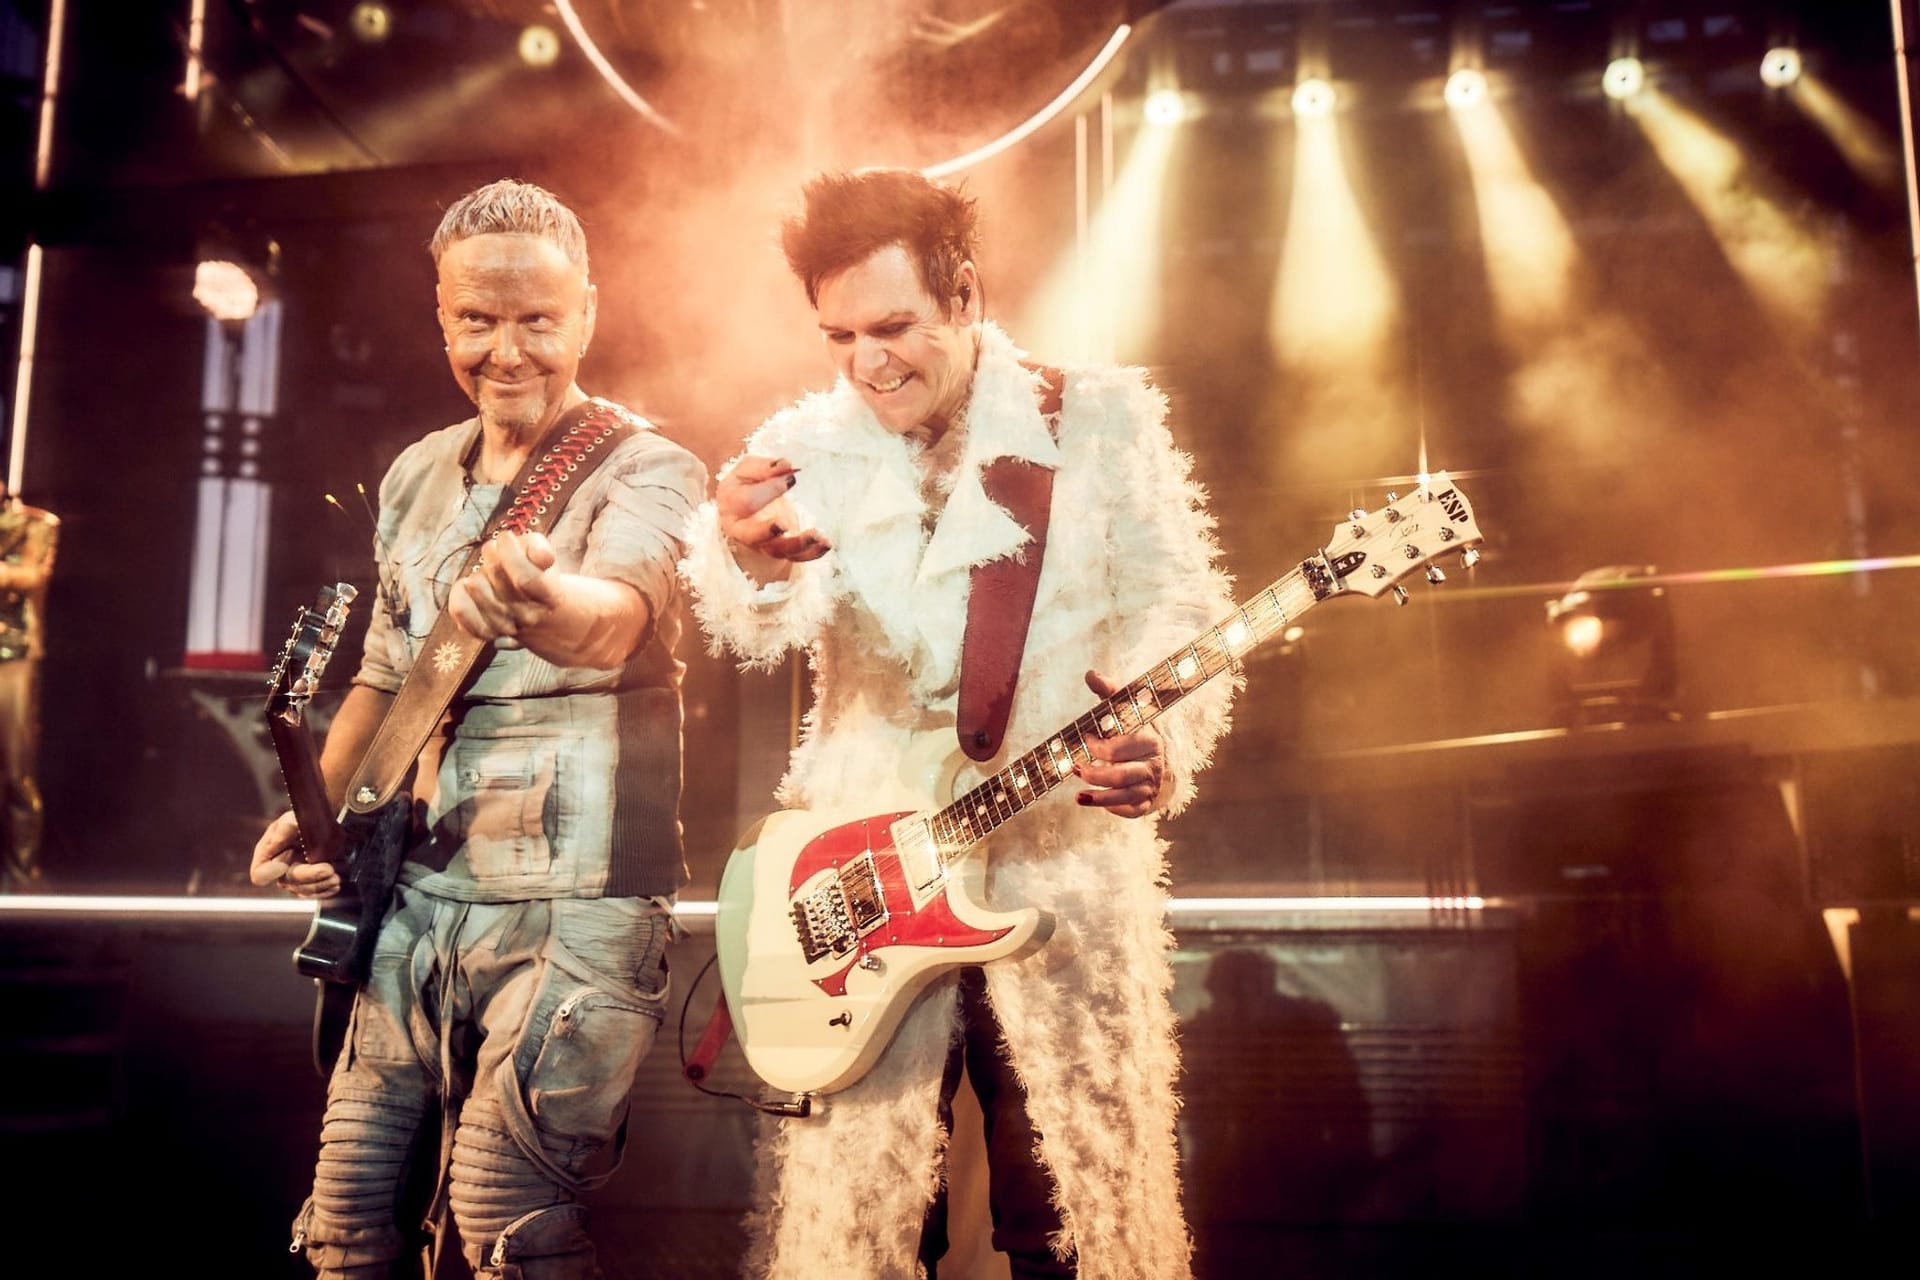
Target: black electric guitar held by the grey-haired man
(368,851)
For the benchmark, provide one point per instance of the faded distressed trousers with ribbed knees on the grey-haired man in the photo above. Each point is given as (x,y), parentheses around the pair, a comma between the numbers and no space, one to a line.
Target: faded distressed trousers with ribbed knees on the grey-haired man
(487,1076)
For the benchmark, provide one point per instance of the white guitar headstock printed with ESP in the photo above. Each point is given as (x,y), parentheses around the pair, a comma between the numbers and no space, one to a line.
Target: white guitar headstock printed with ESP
(1372,552)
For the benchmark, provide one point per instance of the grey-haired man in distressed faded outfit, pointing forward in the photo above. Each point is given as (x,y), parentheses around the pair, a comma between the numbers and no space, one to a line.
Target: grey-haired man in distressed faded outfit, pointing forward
(519,976)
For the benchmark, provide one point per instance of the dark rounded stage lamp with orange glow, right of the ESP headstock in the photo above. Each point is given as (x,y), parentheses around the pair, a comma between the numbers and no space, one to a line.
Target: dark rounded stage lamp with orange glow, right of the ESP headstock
(1614,659)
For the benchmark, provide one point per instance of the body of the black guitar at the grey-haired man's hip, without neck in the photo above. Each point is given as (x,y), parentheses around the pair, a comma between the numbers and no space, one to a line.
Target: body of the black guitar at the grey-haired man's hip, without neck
(339,949)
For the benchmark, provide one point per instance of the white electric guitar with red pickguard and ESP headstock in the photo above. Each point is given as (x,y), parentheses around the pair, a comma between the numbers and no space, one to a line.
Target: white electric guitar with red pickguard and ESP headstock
(830,924)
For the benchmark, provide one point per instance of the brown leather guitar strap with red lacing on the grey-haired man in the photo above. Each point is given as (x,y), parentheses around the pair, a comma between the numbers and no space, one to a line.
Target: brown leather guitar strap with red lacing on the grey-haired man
(567,456)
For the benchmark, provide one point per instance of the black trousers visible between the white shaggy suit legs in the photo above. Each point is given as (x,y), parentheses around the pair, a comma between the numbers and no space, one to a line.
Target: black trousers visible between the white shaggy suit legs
(1019,1189)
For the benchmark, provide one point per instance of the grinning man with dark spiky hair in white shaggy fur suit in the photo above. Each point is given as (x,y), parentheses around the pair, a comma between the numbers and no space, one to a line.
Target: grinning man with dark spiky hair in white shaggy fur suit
(850,527)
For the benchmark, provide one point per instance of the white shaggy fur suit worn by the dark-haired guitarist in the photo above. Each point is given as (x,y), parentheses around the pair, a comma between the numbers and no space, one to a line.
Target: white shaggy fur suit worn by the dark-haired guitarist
(1130,577)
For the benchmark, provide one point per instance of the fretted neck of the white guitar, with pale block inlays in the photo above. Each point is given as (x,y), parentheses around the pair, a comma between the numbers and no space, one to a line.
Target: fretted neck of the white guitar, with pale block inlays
(1140,703)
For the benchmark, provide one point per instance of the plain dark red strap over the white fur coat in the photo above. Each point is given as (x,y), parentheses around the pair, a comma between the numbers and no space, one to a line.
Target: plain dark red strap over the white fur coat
(1001,600)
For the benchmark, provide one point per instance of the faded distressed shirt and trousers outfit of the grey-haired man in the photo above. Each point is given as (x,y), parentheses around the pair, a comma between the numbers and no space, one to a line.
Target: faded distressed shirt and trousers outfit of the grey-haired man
(521,972)
